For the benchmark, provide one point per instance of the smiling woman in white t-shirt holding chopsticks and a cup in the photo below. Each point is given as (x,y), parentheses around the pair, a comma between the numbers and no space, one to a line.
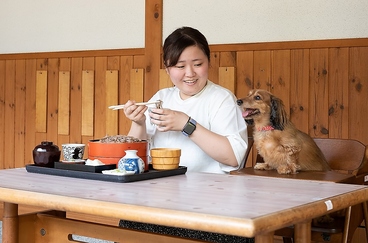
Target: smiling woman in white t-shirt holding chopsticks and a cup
(198,116)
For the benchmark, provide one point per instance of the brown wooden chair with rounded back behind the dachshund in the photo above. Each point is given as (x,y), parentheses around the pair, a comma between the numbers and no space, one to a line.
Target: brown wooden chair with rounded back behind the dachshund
(344,156)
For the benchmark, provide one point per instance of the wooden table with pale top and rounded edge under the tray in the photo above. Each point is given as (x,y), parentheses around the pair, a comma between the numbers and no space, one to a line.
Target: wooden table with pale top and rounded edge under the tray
(247,206)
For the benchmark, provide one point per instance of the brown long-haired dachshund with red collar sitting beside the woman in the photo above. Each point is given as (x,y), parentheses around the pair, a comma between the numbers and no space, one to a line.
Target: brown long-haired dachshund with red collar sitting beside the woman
(282,146)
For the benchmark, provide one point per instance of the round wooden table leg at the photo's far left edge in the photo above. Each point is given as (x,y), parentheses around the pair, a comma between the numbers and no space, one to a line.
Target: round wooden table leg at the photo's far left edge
(10,223)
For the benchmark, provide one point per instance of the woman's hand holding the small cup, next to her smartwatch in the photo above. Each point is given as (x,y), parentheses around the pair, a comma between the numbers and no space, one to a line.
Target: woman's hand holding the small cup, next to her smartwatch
(168,120)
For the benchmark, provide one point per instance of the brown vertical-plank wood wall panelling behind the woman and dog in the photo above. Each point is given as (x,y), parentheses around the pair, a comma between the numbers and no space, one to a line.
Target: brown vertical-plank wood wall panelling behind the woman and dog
(63,97)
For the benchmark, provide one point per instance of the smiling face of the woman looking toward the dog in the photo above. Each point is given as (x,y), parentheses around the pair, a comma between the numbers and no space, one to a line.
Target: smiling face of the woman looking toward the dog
(190,74)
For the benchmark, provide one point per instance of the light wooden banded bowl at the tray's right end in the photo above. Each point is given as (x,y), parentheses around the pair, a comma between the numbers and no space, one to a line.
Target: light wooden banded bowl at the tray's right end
(165,158)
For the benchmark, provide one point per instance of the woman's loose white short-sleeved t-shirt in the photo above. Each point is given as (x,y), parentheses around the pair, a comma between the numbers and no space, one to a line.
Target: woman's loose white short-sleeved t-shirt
(214,108)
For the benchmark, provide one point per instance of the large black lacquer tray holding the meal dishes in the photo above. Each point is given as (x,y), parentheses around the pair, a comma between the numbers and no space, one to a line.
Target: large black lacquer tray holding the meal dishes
(151,174)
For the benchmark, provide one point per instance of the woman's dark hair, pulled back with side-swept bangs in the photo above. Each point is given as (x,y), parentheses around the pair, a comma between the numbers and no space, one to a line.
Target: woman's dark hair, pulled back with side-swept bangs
(180,39)
